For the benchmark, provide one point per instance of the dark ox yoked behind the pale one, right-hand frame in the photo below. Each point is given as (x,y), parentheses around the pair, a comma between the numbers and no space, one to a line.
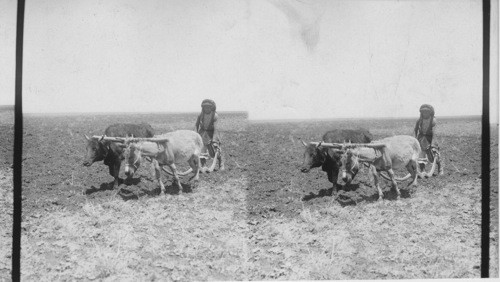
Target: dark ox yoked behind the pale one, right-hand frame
(330,159)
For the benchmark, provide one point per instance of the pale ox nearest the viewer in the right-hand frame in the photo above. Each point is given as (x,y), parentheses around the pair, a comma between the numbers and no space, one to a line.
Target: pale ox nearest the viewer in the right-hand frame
(384,155)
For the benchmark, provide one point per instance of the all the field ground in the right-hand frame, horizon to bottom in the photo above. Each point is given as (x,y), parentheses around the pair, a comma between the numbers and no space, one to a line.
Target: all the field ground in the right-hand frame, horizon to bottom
(433,232)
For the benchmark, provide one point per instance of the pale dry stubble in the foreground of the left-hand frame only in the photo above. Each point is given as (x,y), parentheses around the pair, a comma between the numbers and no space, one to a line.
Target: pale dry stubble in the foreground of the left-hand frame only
(168,237)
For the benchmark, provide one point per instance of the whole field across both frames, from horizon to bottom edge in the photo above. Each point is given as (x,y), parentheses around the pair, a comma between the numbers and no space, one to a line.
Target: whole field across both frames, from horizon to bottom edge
(261,219)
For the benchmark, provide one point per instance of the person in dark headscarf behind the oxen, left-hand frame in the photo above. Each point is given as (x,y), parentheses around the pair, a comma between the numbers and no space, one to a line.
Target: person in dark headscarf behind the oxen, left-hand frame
(206,126)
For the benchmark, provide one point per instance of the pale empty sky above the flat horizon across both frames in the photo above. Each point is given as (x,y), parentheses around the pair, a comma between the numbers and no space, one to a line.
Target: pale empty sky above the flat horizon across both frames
(275,59)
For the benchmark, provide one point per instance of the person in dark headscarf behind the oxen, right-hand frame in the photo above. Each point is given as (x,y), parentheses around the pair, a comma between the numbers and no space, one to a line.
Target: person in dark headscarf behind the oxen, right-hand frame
(425,129)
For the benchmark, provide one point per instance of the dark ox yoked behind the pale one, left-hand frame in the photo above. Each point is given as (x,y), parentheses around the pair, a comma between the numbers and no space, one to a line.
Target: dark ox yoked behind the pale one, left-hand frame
(111,152)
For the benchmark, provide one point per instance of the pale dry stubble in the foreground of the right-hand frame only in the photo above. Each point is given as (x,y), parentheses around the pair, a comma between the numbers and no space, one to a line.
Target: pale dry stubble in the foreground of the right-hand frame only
(420,237)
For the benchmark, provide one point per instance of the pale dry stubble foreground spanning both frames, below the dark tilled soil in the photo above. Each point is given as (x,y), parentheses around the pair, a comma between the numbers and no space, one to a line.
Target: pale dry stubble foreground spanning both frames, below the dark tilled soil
(183,238)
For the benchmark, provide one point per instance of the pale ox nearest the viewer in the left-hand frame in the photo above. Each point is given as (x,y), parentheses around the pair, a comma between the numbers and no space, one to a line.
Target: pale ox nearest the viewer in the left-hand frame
(167,149)
